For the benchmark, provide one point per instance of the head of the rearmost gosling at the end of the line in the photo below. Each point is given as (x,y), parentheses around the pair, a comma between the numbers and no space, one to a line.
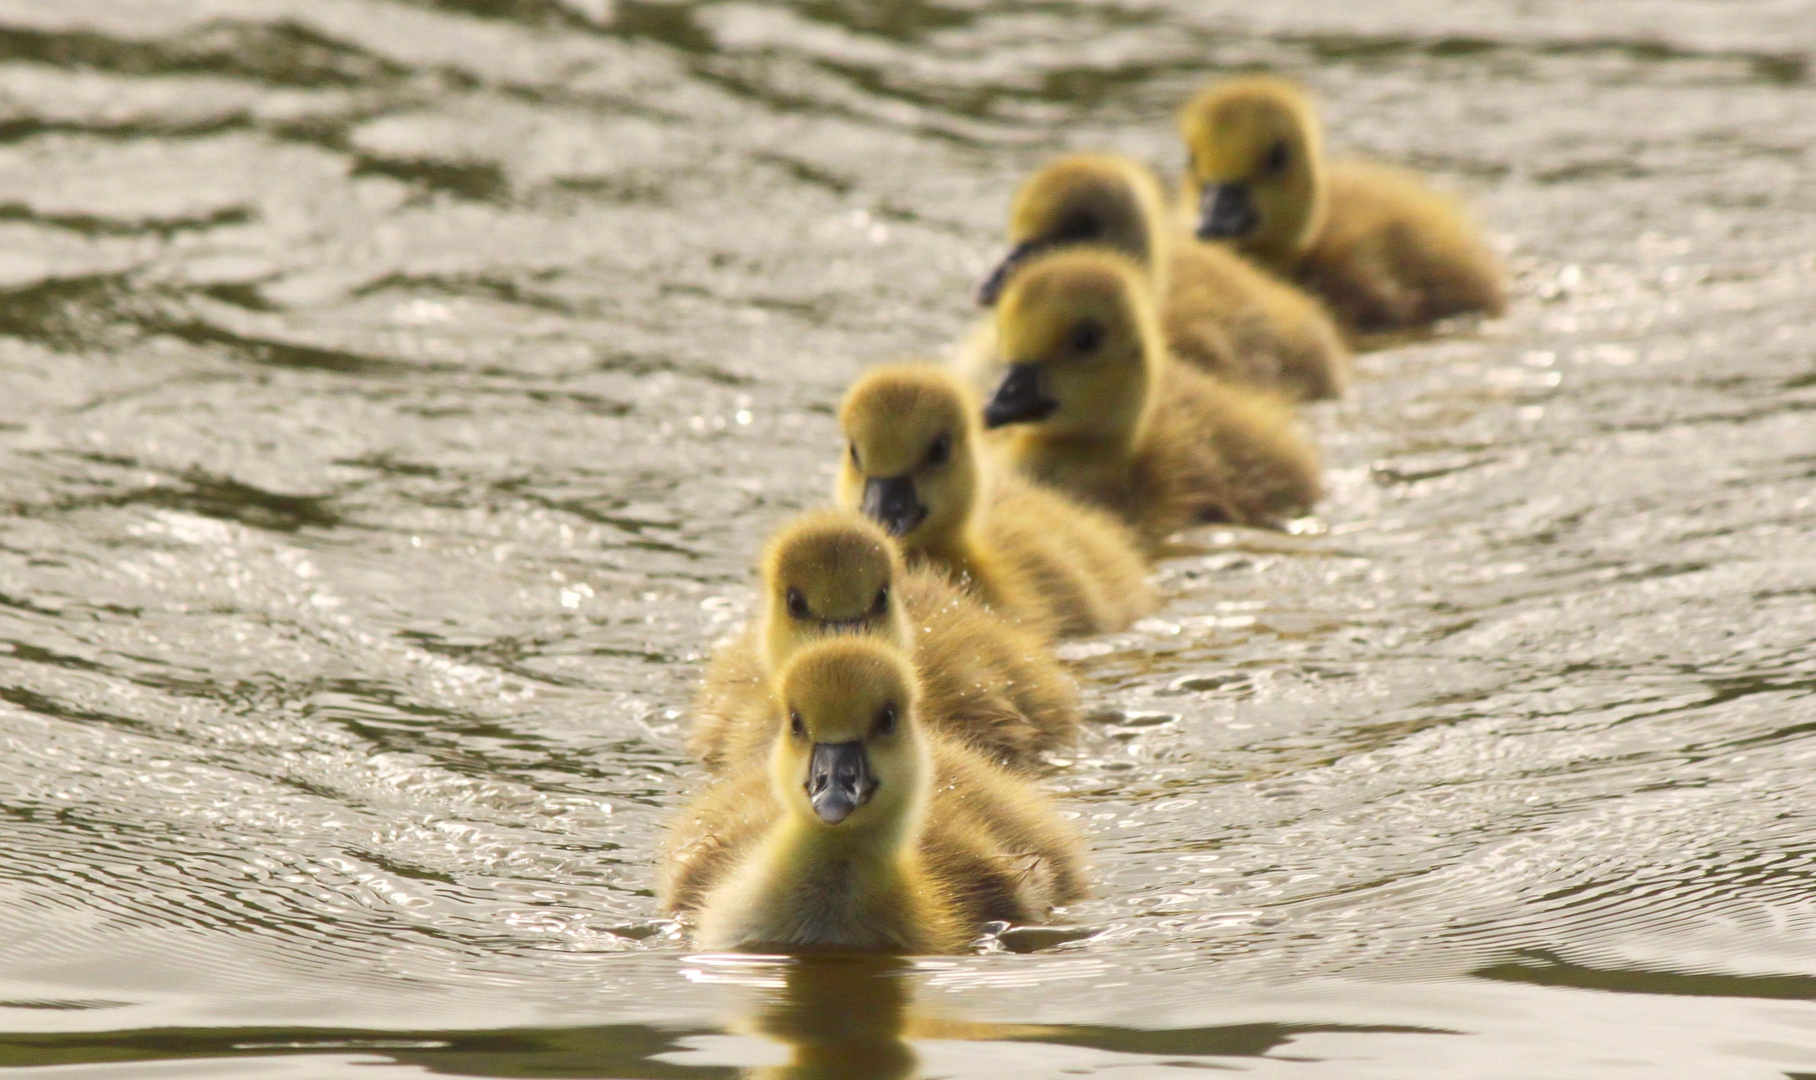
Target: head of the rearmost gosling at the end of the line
(1256,170)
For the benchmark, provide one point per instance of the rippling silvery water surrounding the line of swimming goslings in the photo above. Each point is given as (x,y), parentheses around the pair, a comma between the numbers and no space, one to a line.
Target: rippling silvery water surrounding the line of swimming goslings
(397,395)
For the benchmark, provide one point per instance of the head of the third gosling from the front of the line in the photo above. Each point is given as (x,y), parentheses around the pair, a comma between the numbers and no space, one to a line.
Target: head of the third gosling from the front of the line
(909,462)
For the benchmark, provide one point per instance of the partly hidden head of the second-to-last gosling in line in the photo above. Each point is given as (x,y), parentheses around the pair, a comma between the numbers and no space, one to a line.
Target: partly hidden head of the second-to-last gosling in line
(1083,199)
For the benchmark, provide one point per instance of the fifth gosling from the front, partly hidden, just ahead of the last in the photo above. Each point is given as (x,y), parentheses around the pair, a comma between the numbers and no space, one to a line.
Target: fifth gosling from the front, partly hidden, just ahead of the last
(1218,311)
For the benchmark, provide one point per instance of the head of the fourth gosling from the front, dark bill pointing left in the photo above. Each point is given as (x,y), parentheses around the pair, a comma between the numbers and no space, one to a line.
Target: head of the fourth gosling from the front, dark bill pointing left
(1081,342)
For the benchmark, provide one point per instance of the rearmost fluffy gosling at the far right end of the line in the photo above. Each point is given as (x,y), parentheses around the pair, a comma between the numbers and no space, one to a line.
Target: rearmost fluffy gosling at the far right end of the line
(1383,248)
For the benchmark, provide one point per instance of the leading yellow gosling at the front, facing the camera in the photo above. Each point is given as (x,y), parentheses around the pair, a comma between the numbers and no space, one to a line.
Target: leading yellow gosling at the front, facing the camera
(865,830)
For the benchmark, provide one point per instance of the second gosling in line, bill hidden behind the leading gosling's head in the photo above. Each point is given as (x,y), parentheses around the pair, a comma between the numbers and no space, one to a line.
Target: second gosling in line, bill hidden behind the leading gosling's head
(829,573)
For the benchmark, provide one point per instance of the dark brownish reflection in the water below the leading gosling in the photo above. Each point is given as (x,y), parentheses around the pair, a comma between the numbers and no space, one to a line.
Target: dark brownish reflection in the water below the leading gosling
(844,1019)
